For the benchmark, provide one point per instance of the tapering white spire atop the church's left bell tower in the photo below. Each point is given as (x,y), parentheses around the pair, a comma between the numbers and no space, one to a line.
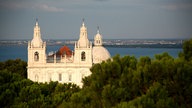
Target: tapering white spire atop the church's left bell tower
(37,41)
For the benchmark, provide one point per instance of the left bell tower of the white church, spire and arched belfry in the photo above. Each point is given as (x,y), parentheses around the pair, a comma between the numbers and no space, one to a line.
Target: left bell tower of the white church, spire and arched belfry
(36,48)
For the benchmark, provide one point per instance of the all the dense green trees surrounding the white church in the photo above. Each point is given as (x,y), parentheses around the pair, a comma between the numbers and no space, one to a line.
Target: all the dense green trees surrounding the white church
(121,82)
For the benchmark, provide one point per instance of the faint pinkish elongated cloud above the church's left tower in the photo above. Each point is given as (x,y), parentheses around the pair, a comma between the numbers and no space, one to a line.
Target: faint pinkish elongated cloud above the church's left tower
(45,7)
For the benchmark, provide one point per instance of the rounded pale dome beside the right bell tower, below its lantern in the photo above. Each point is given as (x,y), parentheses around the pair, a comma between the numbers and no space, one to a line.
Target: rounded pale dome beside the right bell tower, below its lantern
(100,54)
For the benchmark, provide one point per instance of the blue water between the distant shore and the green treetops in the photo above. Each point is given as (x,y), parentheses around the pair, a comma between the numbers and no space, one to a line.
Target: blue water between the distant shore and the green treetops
(14,52)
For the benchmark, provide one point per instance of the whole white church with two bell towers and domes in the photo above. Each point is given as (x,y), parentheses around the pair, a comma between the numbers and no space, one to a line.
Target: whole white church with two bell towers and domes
(64,66)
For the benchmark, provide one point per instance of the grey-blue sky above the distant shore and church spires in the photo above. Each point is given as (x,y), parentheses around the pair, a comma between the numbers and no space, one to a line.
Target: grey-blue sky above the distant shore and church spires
(117,19)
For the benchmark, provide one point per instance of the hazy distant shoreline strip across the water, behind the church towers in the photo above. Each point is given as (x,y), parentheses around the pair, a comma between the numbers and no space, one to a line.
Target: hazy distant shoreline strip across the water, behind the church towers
(121,43)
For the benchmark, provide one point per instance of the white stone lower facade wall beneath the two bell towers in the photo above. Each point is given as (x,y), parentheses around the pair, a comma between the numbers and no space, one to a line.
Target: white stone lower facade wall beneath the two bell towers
(68,74)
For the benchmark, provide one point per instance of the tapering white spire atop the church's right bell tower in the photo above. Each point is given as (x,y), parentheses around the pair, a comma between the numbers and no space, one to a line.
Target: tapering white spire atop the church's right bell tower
(83,41)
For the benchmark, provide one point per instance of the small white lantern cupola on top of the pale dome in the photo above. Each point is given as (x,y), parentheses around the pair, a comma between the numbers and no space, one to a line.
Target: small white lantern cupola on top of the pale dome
(98,39)
